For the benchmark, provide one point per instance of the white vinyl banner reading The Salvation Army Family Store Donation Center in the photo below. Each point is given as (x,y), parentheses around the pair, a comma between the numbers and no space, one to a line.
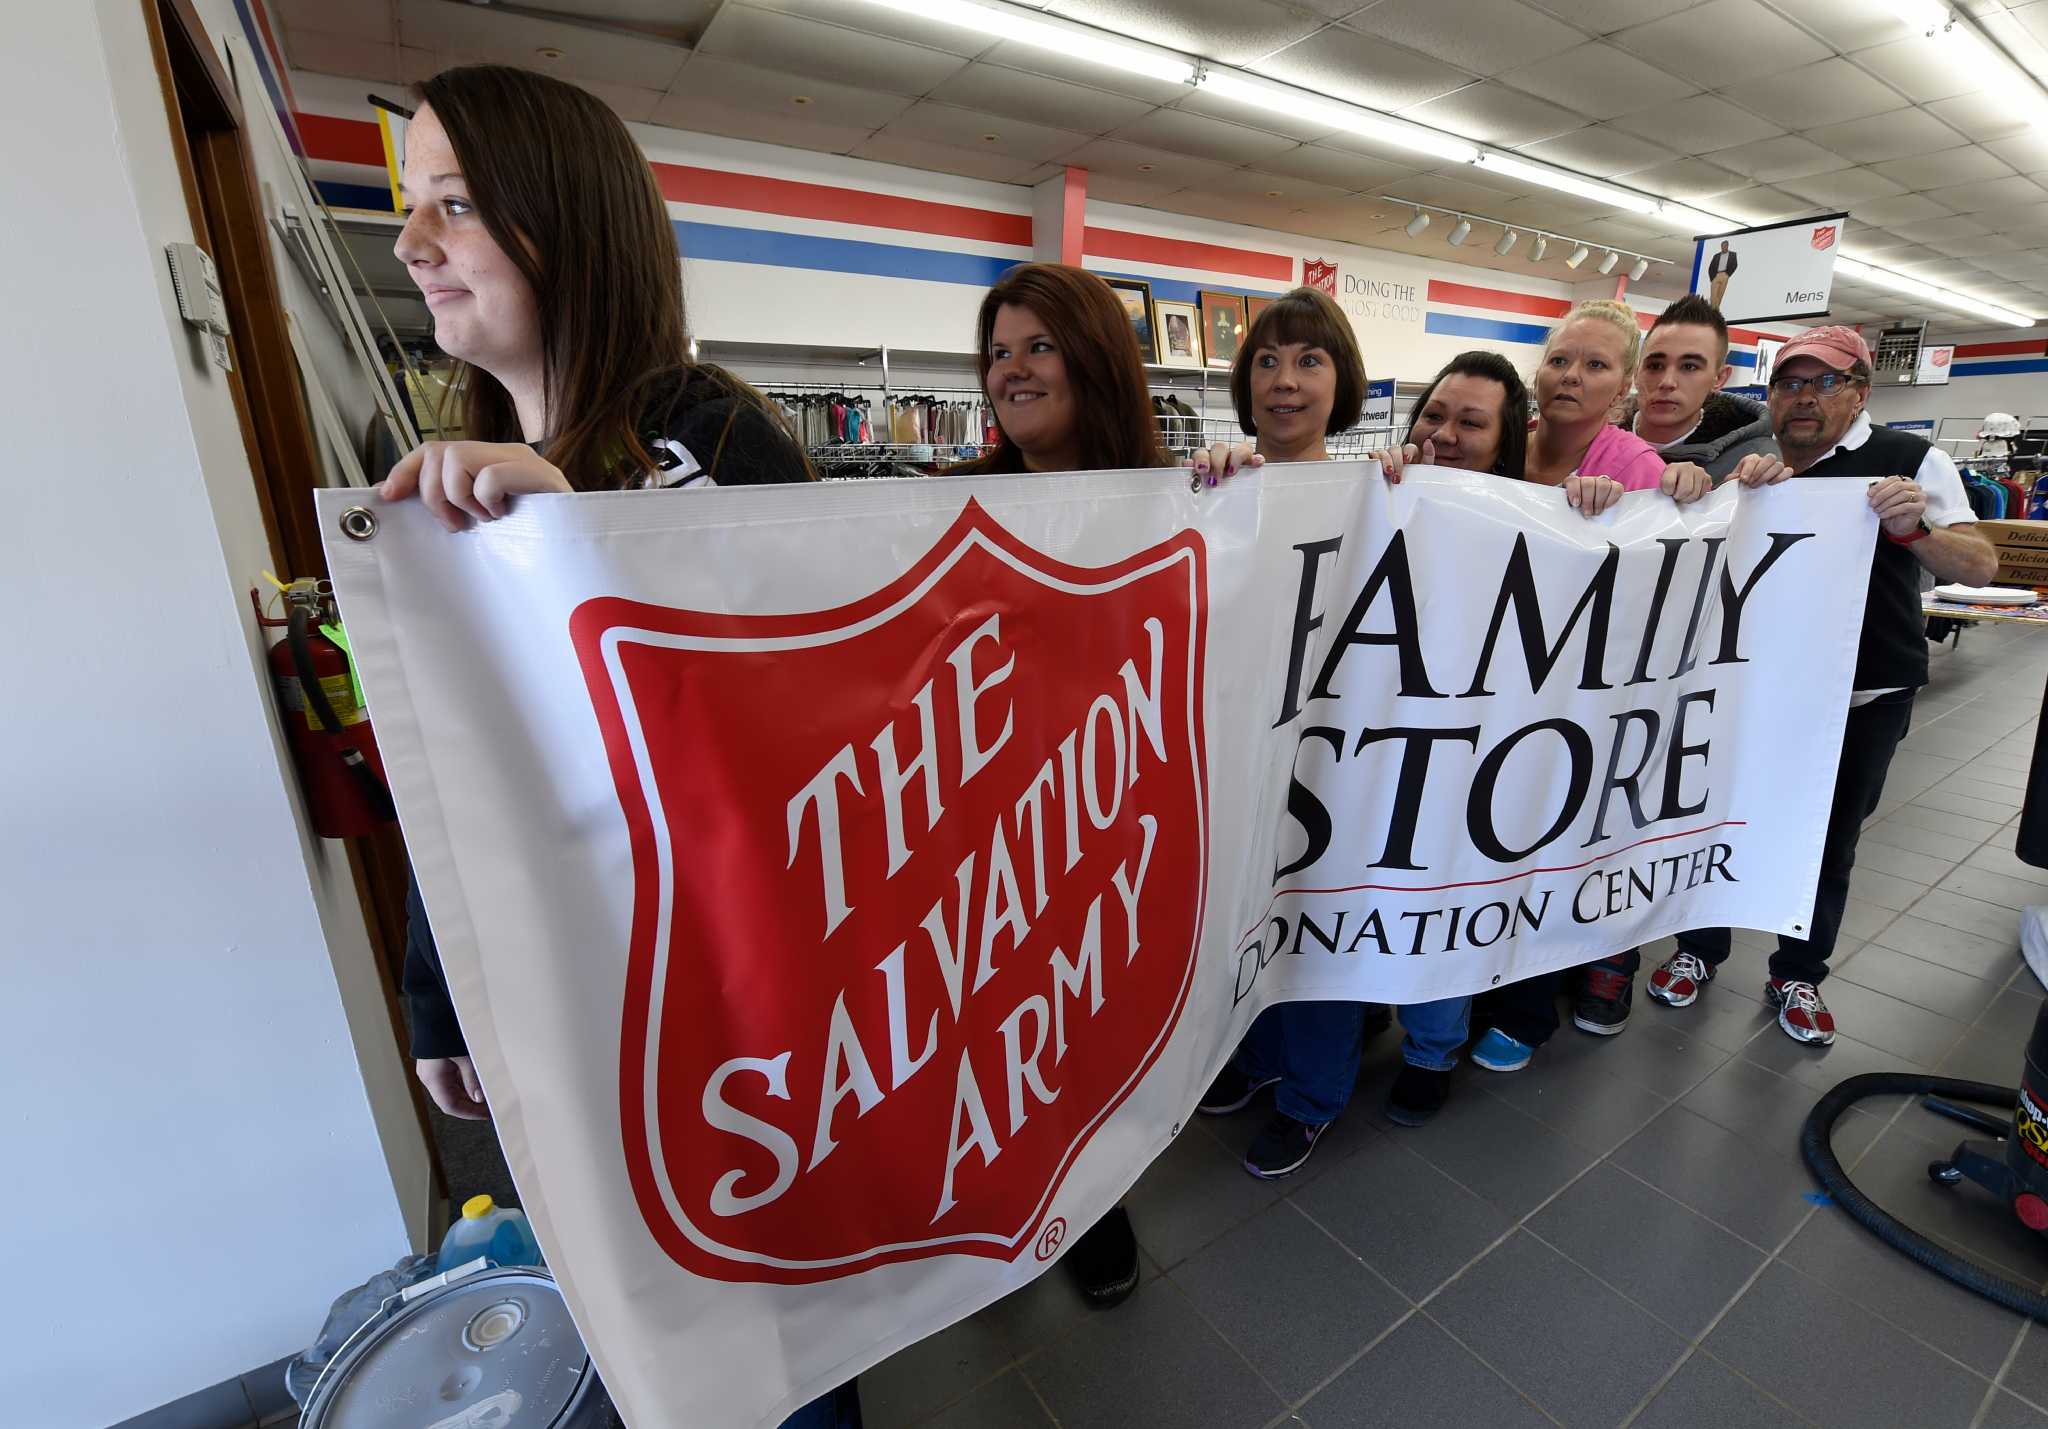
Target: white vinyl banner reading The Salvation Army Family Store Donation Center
(849,890)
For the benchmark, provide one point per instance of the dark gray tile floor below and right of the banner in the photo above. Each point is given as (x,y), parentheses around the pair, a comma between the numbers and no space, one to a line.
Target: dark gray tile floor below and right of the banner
(1623,1233)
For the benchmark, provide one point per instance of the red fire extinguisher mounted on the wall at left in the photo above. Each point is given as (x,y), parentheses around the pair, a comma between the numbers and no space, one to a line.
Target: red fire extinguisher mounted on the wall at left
(327,722)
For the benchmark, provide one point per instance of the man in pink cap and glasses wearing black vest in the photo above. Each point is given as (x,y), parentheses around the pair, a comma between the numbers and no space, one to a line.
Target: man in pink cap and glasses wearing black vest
(1924,521)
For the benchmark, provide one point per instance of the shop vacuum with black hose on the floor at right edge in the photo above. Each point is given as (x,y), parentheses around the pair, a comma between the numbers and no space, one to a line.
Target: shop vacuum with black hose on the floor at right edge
(2012,1168)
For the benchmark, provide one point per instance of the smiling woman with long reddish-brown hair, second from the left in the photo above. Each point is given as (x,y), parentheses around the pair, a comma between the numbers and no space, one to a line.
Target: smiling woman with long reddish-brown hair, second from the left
(1066,380)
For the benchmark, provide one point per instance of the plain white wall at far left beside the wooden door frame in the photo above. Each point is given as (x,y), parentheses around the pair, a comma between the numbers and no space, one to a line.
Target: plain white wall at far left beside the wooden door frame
(194,1160)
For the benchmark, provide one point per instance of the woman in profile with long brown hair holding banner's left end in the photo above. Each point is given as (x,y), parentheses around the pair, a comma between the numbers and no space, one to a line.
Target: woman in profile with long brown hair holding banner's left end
(544,247)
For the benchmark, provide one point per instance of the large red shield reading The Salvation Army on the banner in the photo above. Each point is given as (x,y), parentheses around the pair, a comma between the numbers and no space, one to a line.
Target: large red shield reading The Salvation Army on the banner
(916,896)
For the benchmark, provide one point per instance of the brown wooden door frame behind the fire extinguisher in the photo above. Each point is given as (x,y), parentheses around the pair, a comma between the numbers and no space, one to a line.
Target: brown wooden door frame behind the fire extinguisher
(220,193)
